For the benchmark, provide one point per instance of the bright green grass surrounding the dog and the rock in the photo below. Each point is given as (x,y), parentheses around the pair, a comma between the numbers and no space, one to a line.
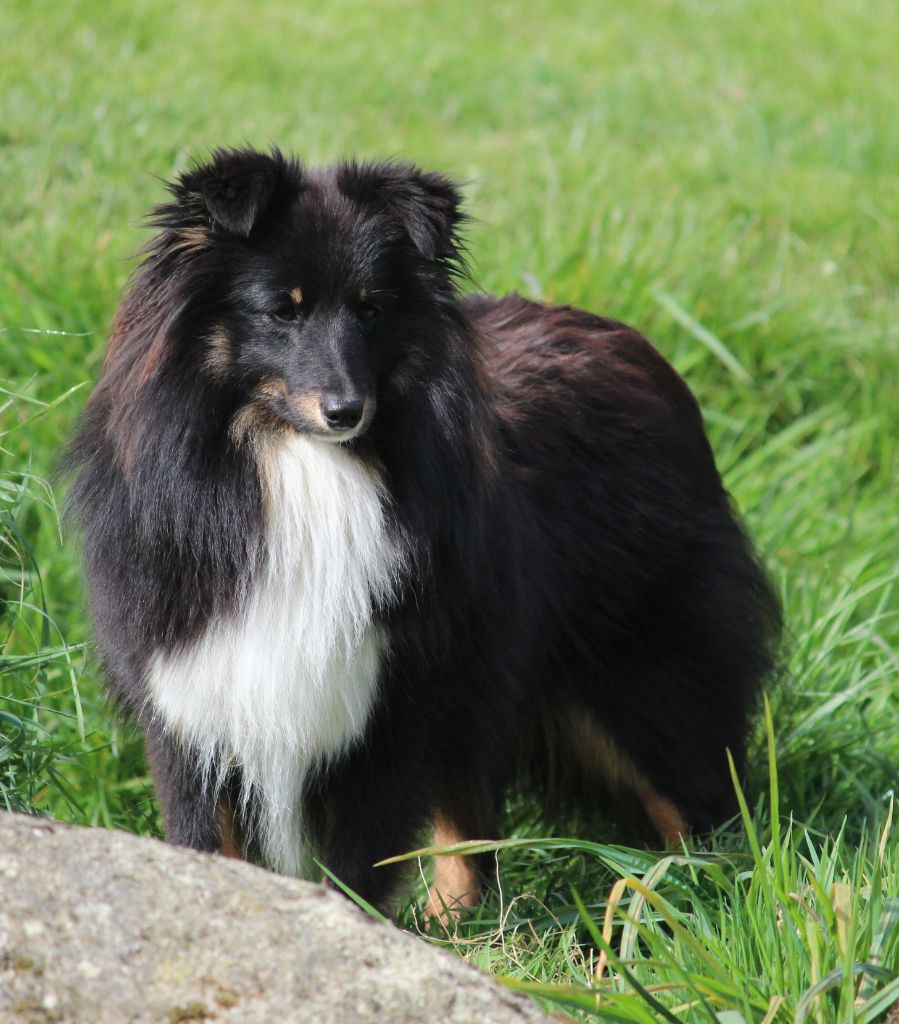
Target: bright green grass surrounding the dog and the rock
(721,177)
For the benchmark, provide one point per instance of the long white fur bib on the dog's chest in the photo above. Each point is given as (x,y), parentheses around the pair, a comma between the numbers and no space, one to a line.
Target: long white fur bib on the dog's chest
(288,682)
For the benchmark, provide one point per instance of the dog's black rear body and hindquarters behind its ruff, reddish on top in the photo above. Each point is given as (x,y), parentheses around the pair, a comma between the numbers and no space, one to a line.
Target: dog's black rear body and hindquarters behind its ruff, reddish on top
(656,624)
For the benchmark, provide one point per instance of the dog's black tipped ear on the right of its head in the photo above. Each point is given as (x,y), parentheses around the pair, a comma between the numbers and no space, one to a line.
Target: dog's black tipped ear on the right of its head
(427,204)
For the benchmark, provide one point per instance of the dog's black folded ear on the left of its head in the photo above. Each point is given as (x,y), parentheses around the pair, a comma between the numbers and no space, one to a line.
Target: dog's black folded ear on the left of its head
(230,193)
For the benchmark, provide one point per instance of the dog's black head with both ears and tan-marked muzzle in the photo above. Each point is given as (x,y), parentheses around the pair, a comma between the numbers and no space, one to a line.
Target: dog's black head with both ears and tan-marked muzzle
(312,284)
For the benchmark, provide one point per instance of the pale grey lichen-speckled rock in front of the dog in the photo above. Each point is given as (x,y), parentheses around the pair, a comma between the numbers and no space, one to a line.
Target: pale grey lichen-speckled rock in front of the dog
(106,927)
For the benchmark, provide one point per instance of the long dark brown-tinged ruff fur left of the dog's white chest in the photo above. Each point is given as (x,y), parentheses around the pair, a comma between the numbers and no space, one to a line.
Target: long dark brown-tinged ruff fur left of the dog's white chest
(160,489)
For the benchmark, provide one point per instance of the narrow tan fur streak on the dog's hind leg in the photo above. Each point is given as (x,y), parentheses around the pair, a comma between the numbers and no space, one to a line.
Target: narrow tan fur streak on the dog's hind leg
(600,756)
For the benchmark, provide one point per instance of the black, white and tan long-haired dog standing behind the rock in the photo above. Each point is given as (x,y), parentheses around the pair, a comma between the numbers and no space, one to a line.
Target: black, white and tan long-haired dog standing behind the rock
(364,554)
